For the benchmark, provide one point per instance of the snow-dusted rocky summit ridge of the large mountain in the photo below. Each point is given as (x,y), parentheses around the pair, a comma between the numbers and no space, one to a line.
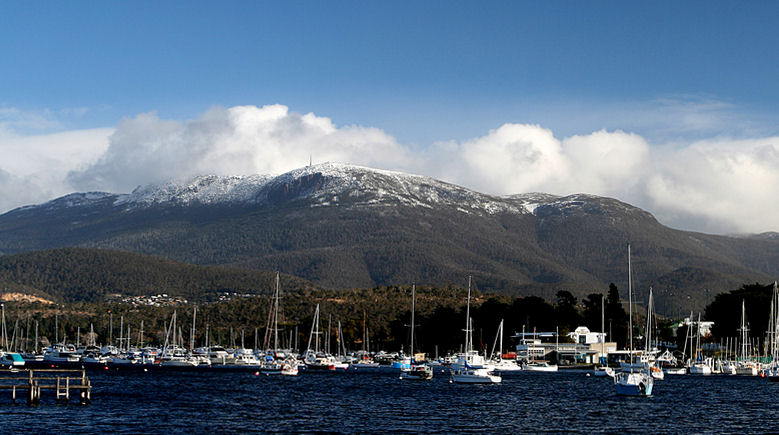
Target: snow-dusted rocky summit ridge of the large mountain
(326,185)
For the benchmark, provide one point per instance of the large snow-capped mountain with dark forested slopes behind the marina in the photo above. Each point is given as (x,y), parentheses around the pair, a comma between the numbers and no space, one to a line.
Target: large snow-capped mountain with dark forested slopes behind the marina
(343,226)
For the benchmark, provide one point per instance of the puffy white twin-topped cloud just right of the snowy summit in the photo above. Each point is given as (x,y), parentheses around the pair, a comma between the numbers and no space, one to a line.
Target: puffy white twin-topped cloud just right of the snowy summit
(518,158)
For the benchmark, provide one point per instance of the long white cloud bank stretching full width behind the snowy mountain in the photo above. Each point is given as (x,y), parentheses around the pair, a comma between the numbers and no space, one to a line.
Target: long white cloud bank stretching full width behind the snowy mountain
(717,185)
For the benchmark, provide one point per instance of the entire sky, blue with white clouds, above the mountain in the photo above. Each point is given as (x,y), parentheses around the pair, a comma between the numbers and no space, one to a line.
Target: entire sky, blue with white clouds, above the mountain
(669,106)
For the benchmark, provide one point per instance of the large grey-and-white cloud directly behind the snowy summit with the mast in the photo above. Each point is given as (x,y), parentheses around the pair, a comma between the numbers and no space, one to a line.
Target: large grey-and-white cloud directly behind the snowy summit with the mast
(237,140)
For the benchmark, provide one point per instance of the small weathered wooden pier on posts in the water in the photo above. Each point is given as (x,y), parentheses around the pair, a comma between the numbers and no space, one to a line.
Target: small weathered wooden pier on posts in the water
(33,382)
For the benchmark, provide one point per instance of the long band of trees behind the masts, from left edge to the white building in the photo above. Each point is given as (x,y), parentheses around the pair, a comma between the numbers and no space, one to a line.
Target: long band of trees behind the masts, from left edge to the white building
(384,311)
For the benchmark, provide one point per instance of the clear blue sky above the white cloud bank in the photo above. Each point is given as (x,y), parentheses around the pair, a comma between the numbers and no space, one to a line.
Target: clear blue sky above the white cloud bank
(674,73)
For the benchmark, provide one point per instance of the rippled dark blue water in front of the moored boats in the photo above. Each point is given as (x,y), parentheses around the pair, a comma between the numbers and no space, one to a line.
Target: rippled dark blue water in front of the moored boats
(380,402)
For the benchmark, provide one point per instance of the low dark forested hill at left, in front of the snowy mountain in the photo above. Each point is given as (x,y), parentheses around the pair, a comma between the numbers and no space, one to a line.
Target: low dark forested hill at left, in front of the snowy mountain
(94,275)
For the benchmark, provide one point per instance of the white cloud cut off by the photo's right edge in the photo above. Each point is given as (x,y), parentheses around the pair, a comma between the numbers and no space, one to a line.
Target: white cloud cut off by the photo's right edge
(719,185)
